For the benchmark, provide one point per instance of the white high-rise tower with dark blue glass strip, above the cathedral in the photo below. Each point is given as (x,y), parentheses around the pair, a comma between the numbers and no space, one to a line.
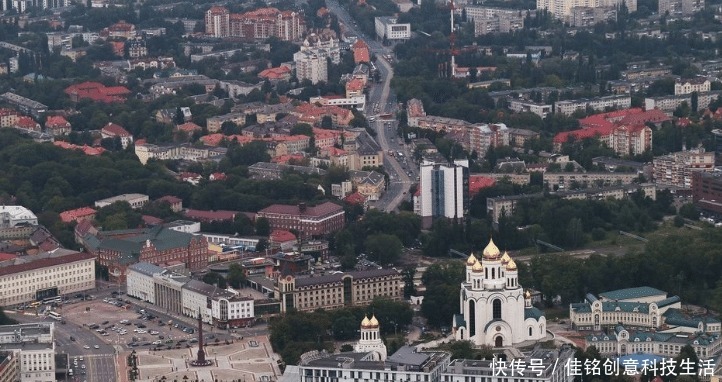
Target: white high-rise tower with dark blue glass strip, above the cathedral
(443,191)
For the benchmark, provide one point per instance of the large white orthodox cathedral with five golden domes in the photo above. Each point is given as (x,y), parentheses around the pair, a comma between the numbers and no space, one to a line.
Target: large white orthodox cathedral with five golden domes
(495,309)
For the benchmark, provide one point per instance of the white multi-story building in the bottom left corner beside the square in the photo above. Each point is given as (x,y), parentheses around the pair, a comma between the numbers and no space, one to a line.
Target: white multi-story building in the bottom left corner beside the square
(34,345)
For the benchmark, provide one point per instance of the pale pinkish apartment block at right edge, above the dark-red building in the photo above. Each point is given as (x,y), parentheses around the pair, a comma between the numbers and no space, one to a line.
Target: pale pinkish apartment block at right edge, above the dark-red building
(676,169)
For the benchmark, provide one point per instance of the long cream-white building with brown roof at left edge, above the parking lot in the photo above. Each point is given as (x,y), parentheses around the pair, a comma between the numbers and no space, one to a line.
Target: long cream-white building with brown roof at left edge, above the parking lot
(46,275)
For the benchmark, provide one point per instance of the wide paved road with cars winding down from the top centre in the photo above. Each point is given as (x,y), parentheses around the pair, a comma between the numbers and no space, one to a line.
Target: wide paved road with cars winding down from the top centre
(381,100)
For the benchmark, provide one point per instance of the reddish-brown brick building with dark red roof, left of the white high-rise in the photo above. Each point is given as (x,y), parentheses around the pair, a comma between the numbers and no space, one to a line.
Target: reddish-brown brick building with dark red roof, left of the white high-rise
(308,221)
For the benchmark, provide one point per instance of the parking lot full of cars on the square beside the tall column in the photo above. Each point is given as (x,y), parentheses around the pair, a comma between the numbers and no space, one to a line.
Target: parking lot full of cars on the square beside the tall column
(117,322)
